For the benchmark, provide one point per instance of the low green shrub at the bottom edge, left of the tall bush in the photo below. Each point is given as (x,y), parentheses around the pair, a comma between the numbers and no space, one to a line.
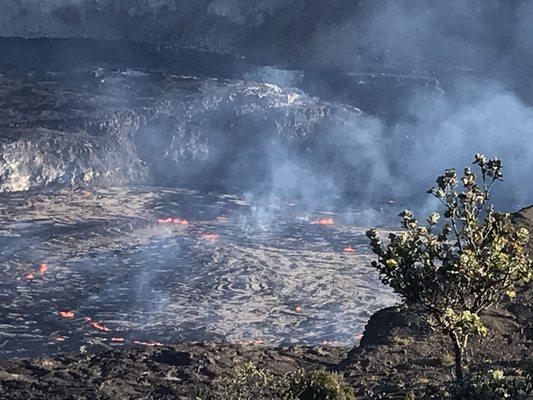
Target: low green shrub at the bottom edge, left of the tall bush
(248,382)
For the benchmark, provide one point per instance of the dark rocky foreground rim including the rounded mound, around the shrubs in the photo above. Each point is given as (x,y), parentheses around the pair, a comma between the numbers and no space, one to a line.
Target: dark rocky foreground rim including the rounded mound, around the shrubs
(398,358)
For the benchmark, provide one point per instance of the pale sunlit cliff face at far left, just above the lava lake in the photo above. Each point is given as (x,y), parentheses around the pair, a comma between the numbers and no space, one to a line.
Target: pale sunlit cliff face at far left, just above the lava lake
(41,157)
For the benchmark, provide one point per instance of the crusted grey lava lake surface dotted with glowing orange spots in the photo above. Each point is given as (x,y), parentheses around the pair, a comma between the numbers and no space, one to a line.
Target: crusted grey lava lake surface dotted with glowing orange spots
(237,272)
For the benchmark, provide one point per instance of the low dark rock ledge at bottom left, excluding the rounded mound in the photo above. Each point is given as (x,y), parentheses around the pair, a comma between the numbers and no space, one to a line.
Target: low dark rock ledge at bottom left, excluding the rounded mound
(174,372)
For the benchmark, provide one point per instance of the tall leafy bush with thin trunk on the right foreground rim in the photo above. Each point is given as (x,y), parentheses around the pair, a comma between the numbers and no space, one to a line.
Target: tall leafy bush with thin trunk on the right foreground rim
(455,270)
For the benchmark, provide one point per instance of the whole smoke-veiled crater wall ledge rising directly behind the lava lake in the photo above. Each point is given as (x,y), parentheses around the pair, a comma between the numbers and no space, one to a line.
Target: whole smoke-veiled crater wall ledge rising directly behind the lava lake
(132,127)
